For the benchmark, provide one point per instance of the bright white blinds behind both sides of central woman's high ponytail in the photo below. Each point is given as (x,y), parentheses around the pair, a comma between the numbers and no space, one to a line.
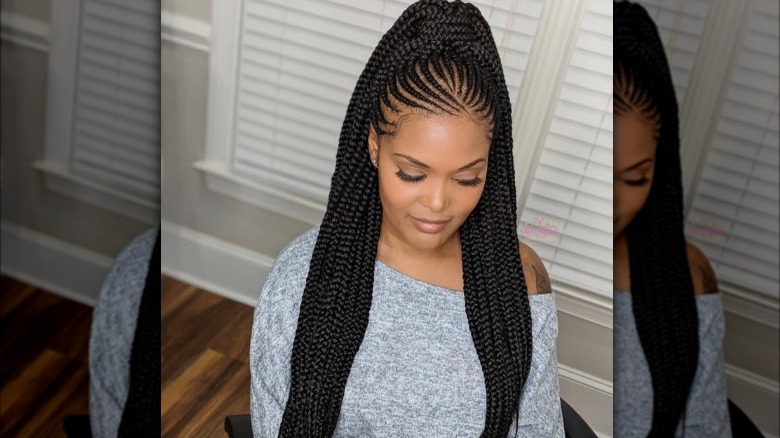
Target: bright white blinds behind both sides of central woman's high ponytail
(298,64)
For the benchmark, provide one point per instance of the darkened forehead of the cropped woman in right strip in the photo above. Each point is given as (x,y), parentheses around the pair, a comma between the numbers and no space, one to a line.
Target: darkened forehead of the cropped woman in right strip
(635,138)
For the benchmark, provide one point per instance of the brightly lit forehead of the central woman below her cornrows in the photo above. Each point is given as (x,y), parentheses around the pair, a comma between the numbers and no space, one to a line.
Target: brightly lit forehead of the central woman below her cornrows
(441,136)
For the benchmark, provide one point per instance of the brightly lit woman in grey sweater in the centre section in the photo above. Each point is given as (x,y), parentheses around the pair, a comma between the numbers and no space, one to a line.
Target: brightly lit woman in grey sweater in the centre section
(412,300)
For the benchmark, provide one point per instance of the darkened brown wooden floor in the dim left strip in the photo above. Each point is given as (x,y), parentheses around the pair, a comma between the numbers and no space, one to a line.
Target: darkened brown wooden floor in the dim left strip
(43,360)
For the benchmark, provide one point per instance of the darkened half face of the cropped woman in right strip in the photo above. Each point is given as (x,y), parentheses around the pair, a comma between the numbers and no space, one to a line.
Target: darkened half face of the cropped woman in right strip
(634,155)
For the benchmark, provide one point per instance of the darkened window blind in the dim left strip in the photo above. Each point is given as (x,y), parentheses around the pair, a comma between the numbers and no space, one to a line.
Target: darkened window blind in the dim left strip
(116,126)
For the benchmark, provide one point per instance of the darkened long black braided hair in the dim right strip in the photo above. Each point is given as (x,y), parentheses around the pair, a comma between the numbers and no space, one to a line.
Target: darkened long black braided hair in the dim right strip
(663,300)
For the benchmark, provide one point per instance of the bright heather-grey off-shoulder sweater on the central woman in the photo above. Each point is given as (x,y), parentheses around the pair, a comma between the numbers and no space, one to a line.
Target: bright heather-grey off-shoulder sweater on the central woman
(416,373)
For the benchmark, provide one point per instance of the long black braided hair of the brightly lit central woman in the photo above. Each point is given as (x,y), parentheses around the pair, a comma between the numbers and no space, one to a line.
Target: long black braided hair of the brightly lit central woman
(437,58)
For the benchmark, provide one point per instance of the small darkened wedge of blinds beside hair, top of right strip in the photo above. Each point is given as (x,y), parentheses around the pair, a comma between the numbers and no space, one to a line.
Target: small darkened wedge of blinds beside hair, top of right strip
(680,24)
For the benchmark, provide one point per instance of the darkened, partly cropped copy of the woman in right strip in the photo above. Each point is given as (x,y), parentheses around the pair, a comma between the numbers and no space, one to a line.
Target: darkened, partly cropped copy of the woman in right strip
(674,383)
